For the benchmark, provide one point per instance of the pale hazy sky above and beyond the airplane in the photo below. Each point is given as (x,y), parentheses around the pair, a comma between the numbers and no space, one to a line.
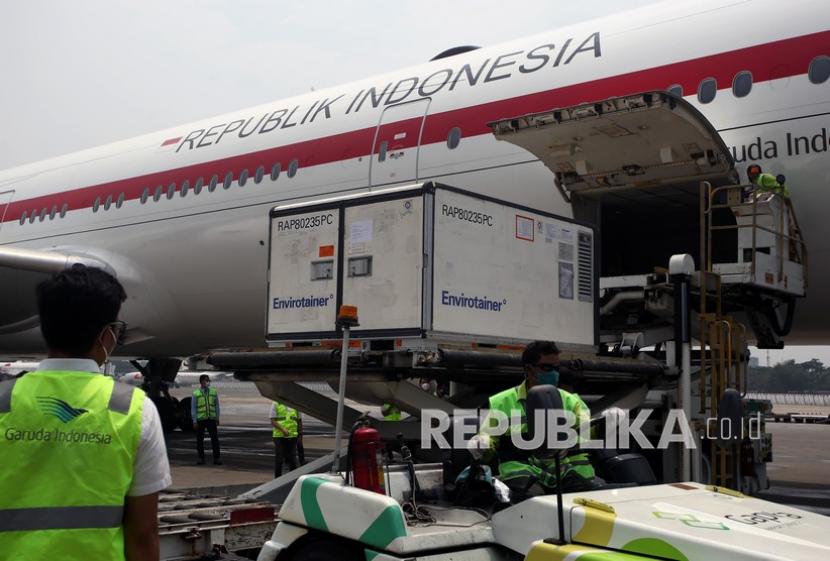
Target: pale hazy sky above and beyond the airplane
(80,73)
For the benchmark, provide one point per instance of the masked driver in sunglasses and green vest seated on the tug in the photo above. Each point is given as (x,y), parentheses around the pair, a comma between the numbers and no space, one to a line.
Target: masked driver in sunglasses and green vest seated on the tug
(526,475)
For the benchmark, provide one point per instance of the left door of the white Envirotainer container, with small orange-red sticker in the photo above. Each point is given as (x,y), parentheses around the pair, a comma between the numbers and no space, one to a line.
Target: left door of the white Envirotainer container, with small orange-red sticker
(303,273)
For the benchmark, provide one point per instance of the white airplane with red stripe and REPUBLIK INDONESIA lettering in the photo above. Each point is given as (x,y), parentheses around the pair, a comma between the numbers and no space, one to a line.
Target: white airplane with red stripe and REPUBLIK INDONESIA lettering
(180,215)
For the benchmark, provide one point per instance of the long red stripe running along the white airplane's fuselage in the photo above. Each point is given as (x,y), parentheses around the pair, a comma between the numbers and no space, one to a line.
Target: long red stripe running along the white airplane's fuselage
(779,59)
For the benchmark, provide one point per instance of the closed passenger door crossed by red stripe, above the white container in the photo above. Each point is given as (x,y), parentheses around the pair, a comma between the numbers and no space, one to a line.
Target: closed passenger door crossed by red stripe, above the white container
(397,140)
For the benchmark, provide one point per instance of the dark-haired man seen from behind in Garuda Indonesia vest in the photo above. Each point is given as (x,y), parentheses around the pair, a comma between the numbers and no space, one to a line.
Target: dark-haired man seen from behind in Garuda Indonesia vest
(83,455)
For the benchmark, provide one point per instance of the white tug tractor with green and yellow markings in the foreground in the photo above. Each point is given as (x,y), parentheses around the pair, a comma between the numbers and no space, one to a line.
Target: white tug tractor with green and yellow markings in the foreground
(416,518)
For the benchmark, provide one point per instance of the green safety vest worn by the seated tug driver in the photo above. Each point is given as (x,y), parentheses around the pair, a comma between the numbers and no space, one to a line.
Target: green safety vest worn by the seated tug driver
(513,399)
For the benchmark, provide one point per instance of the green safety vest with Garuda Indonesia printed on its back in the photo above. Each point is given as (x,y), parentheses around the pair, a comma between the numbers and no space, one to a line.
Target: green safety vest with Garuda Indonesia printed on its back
(68,441)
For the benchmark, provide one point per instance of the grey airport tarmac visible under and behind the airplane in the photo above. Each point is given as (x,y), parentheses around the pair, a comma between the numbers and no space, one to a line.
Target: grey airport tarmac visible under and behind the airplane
(799,471)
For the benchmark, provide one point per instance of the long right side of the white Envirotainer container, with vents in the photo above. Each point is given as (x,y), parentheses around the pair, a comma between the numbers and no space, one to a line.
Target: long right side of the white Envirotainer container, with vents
(497,273)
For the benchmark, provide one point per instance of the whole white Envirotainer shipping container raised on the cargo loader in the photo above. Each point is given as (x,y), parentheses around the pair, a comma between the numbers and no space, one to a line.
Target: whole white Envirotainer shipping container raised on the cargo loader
(430,261)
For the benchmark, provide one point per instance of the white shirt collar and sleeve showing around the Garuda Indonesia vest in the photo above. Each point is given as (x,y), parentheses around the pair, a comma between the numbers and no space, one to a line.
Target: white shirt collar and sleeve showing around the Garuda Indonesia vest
(151,471)
